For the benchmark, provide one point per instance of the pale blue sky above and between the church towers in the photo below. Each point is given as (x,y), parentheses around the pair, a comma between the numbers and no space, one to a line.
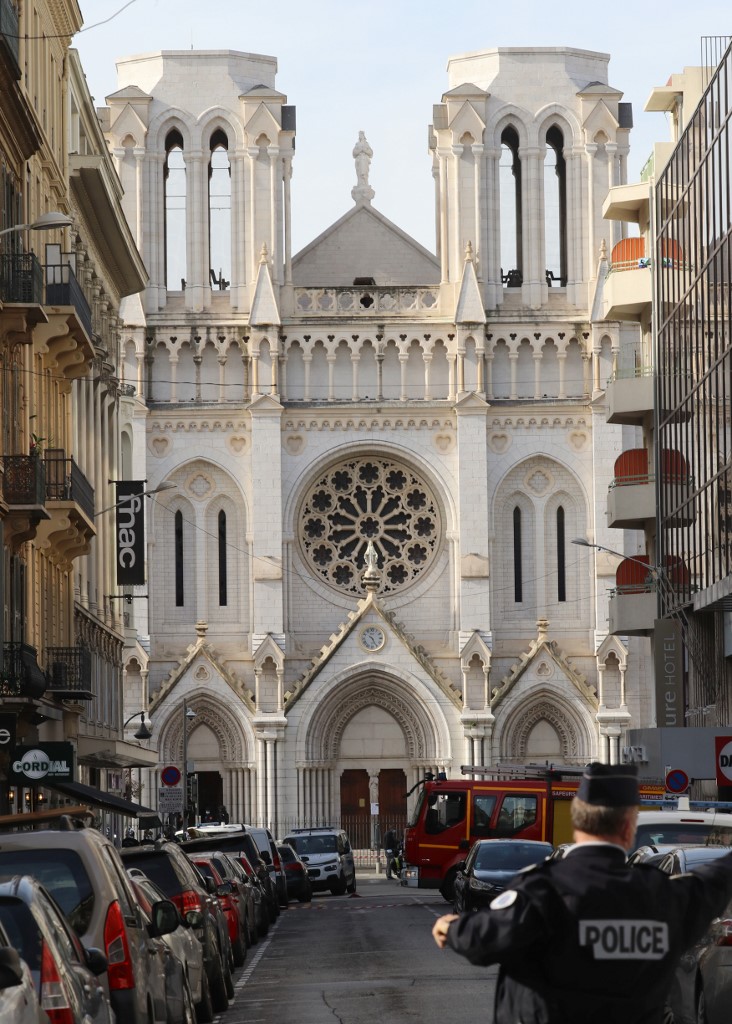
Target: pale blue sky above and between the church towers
(380,67)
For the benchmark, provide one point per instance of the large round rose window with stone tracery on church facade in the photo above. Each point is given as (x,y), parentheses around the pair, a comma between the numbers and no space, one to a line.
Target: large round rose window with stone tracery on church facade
(370,500)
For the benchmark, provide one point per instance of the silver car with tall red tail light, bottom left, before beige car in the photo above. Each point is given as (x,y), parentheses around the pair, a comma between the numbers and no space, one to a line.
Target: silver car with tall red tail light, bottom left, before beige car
(65,974)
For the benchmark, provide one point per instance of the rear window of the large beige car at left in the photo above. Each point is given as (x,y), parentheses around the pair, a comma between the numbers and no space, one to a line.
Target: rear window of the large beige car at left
(63,874)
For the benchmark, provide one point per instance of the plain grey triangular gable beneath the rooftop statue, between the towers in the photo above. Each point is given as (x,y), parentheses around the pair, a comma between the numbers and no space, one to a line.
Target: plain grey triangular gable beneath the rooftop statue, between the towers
(365,244)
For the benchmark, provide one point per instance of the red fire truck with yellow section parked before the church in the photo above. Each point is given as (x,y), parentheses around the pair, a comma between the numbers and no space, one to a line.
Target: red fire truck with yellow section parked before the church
(520,802)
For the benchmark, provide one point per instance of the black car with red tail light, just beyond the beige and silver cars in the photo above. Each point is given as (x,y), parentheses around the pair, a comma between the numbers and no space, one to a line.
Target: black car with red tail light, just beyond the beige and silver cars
(167,866)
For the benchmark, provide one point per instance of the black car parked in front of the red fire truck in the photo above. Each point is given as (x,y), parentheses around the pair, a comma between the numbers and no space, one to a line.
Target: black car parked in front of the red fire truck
(490,867)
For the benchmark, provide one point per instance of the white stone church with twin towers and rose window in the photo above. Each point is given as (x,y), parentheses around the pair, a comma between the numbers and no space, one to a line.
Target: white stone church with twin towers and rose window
(378,456)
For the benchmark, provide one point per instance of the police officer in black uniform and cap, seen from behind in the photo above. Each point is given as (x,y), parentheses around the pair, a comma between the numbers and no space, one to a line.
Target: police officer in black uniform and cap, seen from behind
(589,938)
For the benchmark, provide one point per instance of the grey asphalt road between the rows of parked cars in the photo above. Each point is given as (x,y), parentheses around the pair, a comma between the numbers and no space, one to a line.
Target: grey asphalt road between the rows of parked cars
(368,959)
